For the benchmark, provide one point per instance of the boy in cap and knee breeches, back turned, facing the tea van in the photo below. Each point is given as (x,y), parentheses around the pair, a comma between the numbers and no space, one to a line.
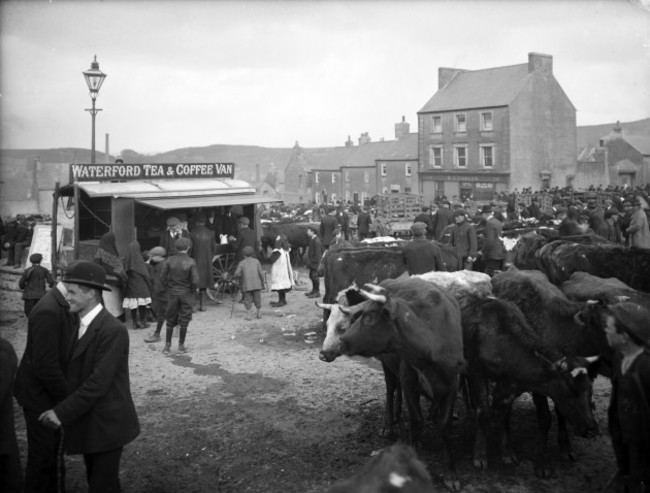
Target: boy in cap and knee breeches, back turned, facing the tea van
(180,277)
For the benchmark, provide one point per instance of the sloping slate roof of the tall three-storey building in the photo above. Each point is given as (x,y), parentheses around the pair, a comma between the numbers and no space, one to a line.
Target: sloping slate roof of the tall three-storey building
(479,89)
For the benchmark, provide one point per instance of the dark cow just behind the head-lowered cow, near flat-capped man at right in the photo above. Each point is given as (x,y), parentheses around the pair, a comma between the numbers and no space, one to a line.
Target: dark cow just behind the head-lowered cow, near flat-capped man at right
(573,328)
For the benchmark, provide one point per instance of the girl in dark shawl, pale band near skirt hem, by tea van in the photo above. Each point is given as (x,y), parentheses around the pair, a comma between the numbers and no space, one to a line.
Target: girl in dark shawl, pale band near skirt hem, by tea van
(138,286)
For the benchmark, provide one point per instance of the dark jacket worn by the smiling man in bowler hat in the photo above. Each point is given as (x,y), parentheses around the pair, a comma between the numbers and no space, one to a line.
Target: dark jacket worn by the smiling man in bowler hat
(98,415)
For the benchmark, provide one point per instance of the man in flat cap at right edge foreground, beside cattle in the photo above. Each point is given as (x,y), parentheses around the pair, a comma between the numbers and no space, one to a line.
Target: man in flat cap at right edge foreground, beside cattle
(628,333)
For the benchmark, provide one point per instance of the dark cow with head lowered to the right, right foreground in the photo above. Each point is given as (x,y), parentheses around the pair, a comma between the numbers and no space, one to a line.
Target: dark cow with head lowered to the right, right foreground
(500,347)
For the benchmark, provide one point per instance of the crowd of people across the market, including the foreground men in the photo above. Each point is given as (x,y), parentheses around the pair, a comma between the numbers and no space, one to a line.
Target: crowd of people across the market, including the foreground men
(74,373)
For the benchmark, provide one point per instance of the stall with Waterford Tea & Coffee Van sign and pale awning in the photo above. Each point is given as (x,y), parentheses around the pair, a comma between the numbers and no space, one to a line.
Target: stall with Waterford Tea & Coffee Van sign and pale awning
(135,200)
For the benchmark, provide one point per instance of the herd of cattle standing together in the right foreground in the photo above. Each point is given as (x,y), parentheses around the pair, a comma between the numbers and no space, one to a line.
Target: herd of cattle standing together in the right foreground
(536,327)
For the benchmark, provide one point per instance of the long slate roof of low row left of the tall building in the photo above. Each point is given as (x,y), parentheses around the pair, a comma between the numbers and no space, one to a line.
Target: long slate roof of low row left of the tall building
(330,158)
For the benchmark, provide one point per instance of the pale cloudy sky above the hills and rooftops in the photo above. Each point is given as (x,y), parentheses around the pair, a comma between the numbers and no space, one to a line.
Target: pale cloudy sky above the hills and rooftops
(197,73)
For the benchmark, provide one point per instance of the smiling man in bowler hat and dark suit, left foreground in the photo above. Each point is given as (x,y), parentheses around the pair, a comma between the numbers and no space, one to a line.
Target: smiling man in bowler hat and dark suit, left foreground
(98,415)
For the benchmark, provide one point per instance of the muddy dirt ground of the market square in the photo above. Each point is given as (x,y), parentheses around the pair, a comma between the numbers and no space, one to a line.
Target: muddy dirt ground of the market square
(251,408)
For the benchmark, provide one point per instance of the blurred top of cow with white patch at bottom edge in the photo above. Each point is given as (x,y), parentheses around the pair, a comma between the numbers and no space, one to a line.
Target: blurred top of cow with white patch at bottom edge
(394,469)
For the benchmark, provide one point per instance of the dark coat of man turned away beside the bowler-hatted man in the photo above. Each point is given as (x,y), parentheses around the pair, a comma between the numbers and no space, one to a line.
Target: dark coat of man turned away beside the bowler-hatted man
(40,380)
